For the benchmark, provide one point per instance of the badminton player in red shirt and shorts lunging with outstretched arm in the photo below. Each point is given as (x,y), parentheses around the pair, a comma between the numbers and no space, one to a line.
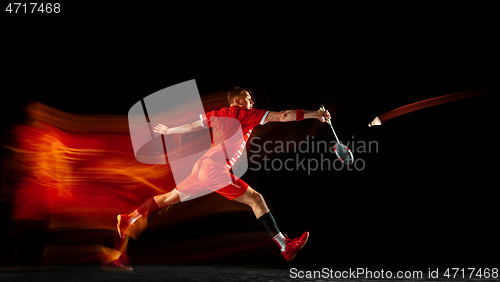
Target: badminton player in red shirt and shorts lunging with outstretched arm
(213,169)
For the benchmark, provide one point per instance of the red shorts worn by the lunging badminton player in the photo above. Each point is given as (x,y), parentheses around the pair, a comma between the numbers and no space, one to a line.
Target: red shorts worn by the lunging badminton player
(209,176)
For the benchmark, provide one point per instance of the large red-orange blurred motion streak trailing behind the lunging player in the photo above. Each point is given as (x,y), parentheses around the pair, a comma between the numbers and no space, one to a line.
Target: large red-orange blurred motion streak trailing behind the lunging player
(74,171)
